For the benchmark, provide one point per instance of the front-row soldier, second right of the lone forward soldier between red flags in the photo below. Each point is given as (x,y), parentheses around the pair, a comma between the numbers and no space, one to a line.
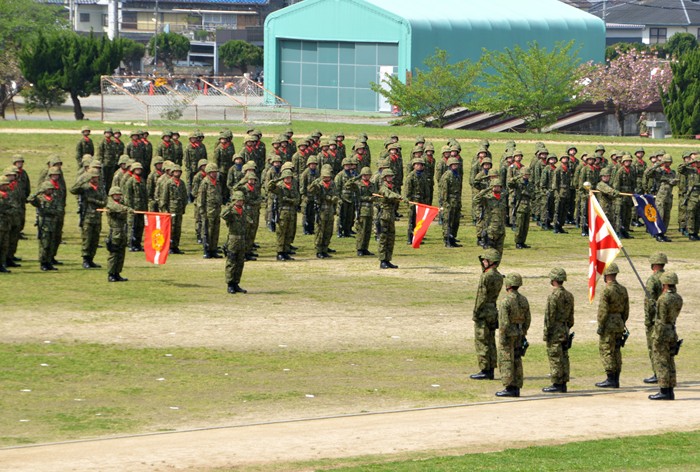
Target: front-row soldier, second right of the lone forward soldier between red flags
(288,200)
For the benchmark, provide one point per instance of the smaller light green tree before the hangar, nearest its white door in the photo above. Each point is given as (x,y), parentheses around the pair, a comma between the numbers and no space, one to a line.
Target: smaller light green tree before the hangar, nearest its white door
(431,93)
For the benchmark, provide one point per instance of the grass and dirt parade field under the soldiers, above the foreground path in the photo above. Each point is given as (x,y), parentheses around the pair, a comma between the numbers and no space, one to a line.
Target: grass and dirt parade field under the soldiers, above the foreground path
(170,349)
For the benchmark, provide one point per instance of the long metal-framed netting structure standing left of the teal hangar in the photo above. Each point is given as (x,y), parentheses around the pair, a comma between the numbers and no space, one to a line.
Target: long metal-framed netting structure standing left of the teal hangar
(180,99)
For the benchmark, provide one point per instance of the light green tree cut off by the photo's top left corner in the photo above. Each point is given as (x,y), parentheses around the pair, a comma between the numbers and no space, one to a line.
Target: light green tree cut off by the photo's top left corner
(20,20)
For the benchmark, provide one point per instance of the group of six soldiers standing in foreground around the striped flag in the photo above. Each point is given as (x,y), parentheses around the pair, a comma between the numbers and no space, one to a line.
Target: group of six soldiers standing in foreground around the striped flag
(511,319)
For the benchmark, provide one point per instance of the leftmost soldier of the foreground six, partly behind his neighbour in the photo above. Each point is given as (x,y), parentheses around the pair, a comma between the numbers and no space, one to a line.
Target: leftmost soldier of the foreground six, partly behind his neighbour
(485,314)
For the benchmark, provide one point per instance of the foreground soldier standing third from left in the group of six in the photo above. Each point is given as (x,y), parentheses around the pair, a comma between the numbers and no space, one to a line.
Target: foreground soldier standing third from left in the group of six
(558,320)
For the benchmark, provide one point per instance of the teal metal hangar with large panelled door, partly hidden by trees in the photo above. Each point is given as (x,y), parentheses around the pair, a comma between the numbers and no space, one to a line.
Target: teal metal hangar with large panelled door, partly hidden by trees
(325,53)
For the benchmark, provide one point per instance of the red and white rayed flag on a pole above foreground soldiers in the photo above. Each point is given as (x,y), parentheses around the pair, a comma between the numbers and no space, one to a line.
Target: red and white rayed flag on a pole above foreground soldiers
(604,245)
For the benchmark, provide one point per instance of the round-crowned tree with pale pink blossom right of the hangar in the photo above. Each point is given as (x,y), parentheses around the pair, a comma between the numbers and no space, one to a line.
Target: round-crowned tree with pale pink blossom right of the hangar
(629,83)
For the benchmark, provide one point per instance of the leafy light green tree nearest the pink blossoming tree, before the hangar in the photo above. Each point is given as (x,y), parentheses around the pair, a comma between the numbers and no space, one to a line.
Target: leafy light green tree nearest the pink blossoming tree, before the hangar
(534,84)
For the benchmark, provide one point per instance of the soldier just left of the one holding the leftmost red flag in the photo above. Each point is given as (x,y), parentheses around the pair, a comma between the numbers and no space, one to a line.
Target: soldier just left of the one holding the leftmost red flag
(92,197)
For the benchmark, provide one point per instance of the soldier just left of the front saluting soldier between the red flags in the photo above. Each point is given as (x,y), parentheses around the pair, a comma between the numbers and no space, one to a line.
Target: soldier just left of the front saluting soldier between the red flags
(210,199)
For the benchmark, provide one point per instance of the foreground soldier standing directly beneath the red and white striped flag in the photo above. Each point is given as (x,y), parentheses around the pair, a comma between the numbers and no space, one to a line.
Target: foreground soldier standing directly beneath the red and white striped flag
(613,312)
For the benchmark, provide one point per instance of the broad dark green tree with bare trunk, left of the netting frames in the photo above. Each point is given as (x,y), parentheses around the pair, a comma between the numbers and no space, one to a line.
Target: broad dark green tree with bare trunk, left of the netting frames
(70,62)
